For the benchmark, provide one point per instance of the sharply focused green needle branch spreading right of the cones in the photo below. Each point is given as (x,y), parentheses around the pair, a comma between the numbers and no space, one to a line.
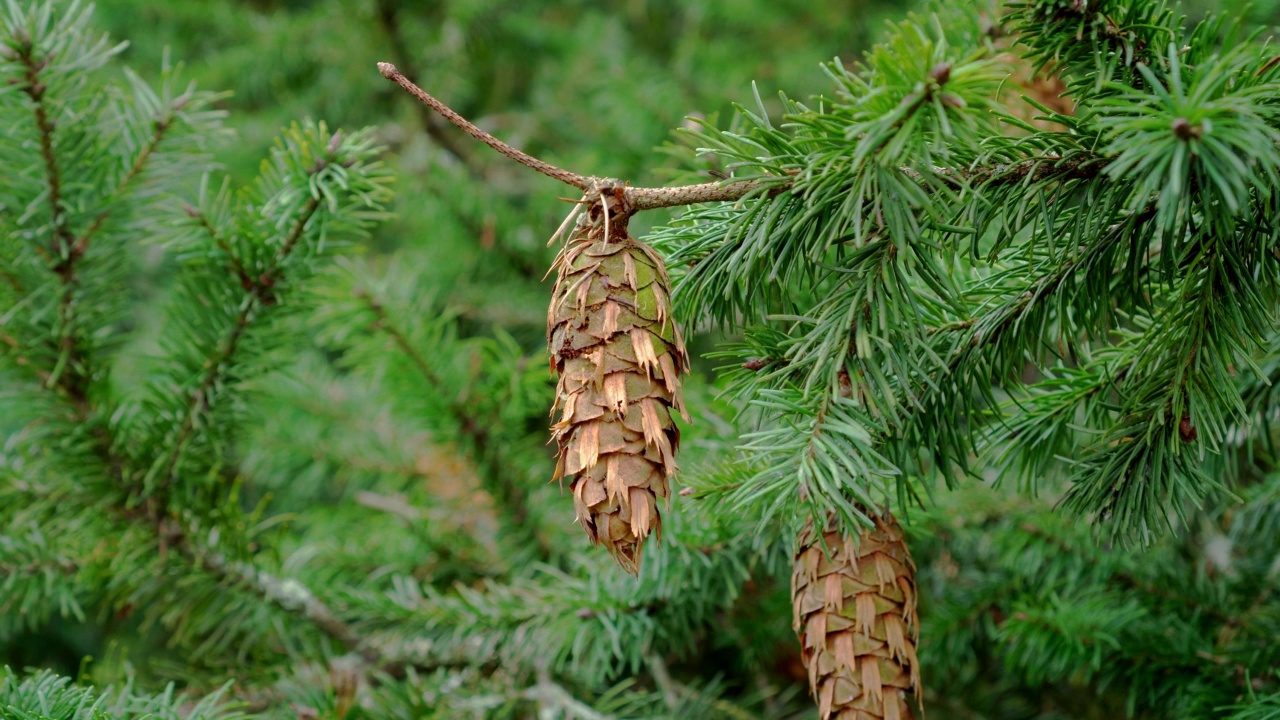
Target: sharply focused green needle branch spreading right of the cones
(1124,252)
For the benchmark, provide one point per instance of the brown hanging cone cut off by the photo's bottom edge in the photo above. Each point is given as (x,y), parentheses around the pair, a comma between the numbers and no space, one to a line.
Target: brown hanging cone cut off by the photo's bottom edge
(856,616)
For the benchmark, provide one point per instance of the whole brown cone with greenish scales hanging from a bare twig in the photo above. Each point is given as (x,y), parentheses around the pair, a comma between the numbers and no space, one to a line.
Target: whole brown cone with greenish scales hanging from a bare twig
(619,356)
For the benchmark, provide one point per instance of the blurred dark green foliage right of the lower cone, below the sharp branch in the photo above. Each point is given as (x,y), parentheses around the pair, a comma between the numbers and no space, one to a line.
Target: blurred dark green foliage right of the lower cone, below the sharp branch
(1178,632)
